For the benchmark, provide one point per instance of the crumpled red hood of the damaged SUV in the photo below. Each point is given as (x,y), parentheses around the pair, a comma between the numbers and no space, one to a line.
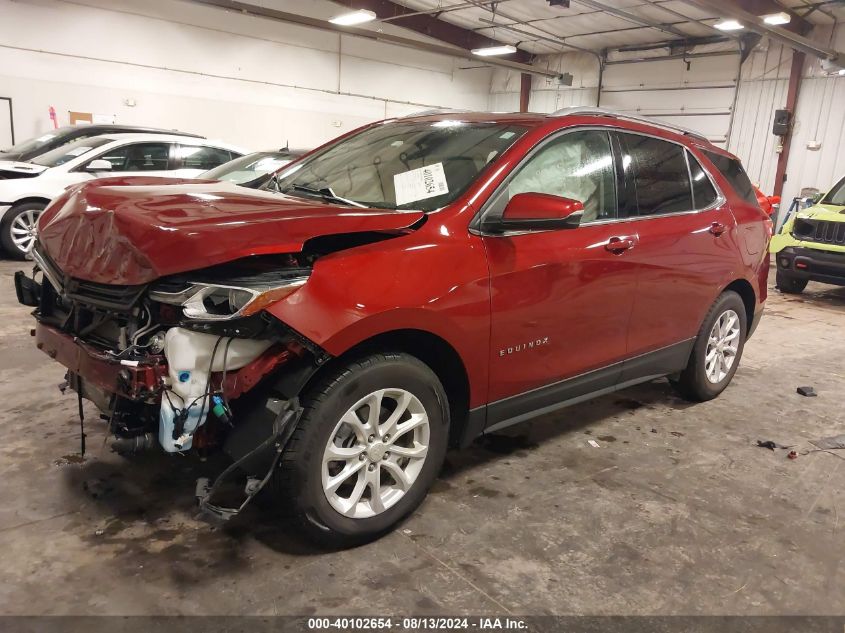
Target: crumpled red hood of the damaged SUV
(134,230)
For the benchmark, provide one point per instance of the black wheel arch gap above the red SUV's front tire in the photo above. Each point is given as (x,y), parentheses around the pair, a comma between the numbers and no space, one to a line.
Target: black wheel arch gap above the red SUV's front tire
(433,350)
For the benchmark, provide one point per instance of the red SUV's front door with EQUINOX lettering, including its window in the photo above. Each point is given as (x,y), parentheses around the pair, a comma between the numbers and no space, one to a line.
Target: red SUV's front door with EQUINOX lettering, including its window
(561,299)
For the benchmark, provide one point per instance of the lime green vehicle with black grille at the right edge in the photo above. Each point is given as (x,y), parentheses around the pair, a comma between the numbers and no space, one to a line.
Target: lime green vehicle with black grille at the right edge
(811,244)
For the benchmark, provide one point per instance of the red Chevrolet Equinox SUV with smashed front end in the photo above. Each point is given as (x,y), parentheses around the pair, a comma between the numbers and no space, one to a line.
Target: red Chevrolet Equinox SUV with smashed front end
(405,288)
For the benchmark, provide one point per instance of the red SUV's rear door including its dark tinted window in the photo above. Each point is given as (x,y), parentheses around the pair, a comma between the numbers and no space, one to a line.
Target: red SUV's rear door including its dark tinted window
(686,246)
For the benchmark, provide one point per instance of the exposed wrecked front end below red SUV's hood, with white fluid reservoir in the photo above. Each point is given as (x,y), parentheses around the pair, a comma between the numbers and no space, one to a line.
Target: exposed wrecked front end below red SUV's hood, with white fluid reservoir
(255,381)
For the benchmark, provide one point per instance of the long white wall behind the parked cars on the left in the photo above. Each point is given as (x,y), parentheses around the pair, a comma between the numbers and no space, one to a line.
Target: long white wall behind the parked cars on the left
(247,80)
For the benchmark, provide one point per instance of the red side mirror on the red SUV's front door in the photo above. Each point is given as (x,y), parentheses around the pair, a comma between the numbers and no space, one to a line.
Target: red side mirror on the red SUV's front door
(527,211)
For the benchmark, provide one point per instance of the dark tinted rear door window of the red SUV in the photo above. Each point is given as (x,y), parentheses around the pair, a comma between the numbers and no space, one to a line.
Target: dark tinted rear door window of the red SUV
(656,176)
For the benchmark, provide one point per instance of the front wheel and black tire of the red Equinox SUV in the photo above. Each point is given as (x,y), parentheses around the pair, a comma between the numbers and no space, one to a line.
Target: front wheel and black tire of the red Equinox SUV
(370,442)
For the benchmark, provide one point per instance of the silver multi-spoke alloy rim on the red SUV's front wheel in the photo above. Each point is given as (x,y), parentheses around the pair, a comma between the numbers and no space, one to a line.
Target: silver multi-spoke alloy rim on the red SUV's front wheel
(375,453)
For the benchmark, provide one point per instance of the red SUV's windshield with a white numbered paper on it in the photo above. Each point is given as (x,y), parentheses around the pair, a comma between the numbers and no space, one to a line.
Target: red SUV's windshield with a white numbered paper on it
(402,165)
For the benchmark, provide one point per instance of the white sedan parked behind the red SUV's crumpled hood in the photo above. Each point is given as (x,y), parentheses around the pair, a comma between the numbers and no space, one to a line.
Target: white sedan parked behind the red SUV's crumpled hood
(26,188)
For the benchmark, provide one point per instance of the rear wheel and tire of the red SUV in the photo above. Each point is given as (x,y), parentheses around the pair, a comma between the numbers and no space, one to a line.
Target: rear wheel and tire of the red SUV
(717,350)
